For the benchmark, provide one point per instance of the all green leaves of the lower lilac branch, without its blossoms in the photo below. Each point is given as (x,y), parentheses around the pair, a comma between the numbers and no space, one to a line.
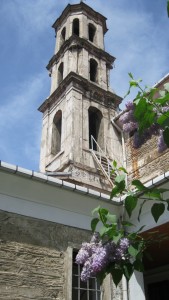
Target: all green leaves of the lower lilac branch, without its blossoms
(112,229)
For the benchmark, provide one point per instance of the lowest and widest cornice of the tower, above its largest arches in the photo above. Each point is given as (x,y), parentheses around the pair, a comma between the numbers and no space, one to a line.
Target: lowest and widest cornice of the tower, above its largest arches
(88,88)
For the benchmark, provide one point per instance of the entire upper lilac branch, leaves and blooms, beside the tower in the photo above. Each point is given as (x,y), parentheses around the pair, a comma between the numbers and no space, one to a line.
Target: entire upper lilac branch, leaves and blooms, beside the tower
(147,115)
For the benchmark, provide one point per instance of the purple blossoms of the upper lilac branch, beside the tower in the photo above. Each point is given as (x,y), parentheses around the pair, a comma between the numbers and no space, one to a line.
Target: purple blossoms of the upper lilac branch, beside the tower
(130,125)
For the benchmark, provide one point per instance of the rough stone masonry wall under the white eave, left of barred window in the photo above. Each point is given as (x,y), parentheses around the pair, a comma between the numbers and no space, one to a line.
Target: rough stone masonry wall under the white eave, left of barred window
(32,255)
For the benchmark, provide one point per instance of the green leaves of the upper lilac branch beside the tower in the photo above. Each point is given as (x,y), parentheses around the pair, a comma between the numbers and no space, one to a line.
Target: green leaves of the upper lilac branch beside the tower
(149,110)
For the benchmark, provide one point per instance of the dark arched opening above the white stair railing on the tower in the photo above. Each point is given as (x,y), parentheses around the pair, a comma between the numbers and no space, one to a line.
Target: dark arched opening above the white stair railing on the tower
(96,132)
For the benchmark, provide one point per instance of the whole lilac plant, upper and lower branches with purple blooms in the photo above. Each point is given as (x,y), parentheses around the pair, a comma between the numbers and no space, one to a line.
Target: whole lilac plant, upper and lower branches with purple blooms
(113,248)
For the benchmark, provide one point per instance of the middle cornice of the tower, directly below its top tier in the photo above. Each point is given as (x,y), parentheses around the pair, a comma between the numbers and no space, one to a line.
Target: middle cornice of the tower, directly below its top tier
(76,41)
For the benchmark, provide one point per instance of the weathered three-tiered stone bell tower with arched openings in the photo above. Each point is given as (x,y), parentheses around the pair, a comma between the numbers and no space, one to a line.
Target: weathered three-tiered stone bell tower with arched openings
(77,131)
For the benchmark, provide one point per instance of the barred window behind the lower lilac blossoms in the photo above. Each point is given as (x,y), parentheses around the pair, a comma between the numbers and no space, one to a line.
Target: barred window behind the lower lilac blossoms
(90,290)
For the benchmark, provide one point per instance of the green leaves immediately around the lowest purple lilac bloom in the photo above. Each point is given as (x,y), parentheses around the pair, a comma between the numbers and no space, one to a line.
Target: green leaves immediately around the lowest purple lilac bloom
(111,230)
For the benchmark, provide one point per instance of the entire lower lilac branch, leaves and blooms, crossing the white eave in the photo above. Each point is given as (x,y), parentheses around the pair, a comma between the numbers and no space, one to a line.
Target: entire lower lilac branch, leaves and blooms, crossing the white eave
(113,249)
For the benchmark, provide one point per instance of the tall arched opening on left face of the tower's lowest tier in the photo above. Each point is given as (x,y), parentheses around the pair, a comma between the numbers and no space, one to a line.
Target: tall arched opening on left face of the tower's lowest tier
(56,133)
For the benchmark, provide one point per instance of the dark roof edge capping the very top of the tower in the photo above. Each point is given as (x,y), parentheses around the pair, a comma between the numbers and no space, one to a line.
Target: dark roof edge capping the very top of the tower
(85,9)
